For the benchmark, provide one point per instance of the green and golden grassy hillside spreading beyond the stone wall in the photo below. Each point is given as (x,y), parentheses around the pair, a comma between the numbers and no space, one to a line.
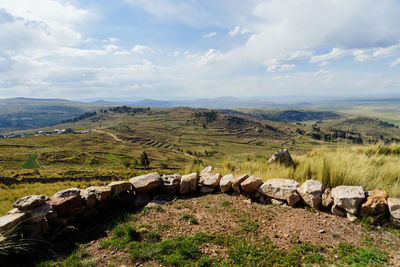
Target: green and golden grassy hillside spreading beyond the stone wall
(182,140)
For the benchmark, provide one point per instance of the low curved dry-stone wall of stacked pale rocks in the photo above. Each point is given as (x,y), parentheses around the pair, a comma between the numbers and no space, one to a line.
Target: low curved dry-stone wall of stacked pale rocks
(41,215)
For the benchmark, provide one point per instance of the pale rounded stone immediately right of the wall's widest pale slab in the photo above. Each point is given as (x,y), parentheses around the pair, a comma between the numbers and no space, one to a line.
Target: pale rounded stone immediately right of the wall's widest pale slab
(311,191)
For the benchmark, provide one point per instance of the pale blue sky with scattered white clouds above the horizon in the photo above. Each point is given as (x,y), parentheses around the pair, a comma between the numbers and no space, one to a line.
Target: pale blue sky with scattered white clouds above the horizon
(182,49)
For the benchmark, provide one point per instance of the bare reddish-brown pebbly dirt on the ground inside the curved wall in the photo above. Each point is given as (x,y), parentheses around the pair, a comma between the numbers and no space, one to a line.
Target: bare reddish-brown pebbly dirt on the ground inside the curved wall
(226,214)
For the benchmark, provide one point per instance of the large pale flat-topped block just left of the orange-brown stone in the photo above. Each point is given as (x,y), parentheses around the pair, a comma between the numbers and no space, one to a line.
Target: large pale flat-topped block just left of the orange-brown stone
(348,198)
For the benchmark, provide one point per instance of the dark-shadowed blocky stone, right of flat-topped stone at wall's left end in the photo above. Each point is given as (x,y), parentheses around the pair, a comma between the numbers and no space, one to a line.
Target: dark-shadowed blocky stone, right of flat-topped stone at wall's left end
(67,206)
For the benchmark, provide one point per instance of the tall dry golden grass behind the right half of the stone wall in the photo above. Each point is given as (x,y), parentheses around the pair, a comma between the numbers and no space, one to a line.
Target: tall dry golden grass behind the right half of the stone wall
(368,166)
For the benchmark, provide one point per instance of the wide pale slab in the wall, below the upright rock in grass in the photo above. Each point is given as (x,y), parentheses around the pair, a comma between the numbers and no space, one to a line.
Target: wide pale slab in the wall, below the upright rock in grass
(279,188)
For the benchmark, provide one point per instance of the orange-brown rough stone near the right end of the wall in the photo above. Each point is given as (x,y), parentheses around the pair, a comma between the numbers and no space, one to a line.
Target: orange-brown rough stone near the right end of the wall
(376,202)
